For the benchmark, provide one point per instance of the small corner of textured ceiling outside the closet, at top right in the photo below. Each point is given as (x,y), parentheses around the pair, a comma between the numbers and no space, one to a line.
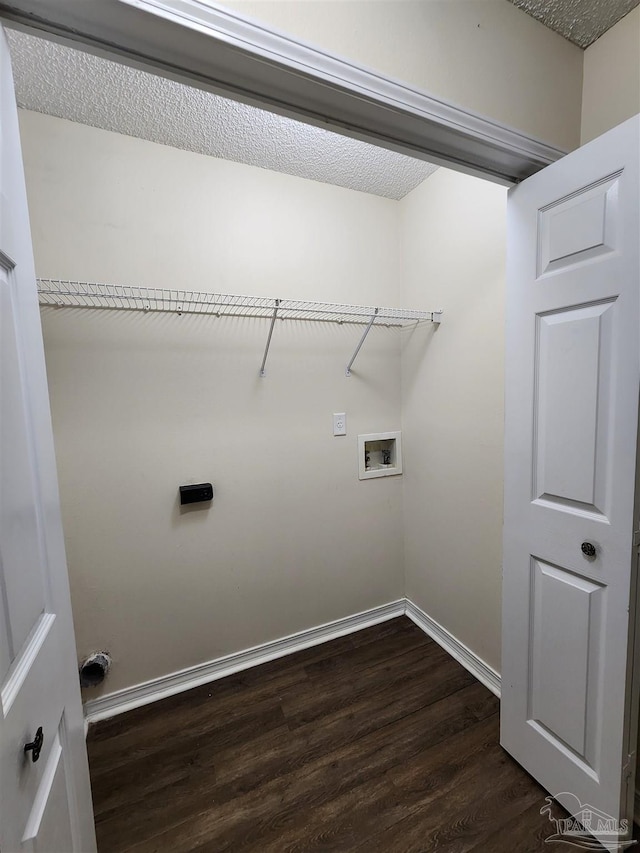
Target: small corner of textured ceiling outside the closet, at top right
(580,21)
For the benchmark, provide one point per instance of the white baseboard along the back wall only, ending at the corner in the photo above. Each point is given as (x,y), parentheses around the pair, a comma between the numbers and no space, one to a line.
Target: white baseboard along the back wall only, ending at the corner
(176,682)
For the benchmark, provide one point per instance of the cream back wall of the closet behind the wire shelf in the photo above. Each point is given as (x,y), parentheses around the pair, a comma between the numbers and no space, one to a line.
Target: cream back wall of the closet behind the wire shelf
(143,403)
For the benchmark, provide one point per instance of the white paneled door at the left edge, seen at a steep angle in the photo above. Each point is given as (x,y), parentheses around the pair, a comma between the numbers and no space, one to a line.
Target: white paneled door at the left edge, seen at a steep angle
(45,804)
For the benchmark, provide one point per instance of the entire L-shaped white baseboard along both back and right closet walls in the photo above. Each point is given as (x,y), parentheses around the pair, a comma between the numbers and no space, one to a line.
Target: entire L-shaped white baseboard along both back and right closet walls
(177,682)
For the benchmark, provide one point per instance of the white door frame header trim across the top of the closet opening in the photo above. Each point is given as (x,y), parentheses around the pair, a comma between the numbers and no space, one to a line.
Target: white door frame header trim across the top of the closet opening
(220,50)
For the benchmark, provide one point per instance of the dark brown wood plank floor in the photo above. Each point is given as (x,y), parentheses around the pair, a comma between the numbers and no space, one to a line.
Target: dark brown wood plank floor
(378,741)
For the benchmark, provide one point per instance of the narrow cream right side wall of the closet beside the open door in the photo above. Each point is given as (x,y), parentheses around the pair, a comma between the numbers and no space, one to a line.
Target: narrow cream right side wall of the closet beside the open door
(453,231)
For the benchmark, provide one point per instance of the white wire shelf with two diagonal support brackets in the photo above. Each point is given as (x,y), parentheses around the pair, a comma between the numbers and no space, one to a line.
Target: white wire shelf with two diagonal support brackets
(82,294)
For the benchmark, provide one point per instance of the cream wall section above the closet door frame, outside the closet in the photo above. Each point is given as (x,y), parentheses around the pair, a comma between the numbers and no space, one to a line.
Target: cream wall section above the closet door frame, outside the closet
(484,55)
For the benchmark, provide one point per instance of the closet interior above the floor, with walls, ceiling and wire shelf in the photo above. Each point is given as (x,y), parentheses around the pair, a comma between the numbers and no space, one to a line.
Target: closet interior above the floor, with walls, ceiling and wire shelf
(161,375)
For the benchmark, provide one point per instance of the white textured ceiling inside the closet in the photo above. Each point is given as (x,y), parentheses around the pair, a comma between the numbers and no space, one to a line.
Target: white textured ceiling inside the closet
(67,83)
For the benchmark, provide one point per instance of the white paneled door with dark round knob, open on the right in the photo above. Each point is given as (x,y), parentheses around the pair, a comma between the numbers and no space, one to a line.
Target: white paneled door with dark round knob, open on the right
(572,384)
